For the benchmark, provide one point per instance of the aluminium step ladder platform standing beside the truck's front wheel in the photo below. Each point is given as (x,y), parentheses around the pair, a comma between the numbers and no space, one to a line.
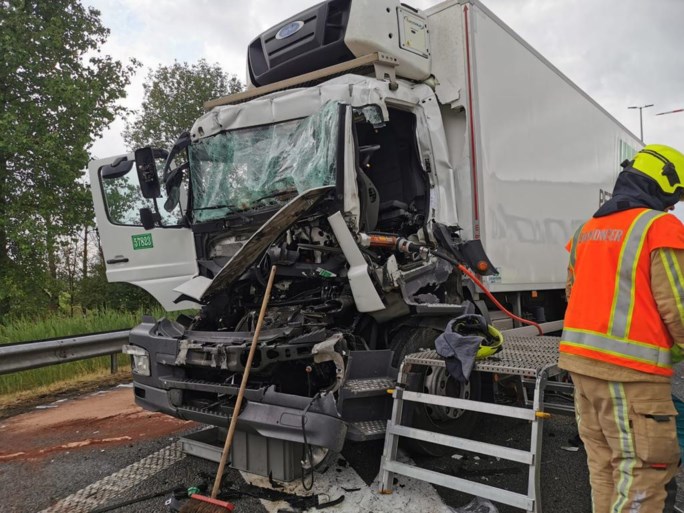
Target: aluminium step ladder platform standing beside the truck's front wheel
(533,360)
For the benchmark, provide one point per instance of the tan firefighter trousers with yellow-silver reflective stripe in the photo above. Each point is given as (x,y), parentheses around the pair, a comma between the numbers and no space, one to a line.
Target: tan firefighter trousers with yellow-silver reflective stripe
(630,436)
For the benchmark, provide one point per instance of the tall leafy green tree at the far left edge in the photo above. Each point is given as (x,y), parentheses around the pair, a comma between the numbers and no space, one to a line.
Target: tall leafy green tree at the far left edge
(57,94)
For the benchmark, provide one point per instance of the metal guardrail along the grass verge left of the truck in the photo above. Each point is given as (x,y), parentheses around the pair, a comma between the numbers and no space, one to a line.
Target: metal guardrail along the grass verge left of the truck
(31,355)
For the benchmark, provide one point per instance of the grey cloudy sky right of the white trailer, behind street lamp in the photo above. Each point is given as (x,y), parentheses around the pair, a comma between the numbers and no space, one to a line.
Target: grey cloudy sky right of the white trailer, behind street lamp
(621,52)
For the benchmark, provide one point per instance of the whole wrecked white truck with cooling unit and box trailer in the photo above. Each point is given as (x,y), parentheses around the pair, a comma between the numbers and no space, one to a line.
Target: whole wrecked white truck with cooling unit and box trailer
(375,146)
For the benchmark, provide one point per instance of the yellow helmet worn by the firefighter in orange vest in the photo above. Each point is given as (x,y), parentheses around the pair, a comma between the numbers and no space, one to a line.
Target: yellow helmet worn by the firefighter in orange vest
(663,164)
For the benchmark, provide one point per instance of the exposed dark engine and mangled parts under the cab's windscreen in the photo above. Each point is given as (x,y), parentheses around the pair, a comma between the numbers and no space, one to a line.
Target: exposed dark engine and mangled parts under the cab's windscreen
(312,322)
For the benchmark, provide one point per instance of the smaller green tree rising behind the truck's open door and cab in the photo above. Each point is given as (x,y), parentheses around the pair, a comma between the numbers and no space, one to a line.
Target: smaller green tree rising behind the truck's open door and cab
(173,99)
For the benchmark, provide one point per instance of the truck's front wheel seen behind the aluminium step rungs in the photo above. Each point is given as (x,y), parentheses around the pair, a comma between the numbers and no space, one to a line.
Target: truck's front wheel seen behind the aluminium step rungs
(434,380)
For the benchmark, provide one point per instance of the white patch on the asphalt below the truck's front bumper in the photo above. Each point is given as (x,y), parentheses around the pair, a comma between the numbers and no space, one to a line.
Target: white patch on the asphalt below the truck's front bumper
(408,495)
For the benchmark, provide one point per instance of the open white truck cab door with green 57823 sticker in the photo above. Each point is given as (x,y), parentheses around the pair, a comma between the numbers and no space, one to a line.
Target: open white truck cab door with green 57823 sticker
(156,259)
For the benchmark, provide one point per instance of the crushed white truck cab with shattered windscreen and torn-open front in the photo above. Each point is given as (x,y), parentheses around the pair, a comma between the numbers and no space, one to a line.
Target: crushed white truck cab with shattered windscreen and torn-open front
(302,194)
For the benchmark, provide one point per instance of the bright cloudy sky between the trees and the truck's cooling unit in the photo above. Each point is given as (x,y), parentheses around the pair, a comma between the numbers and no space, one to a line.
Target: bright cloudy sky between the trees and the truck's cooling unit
(158,32)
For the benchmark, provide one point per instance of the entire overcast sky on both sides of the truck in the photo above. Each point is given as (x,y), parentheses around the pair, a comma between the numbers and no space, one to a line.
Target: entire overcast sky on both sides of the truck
(621,52)
